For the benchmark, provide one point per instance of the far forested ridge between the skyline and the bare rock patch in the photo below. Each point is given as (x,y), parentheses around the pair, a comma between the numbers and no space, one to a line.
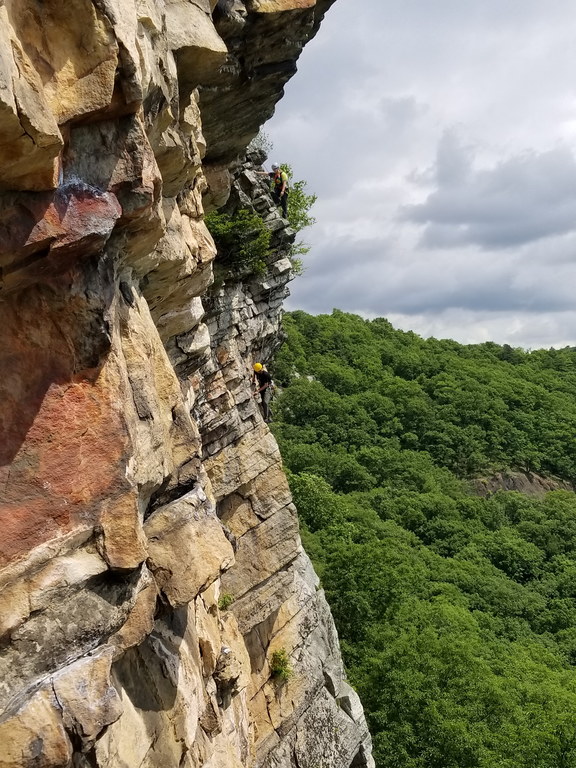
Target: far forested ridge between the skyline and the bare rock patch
(469,410)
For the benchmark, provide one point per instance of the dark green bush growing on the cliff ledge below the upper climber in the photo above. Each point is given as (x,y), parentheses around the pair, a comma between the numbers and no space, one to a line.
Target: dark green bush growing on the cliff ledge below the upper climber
(242,241)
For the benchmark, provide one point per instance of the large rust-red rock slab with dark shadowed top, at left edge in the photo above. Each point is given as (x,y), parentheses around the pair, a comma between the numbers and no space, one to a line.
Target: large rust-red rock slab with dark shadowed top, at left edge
(57,392)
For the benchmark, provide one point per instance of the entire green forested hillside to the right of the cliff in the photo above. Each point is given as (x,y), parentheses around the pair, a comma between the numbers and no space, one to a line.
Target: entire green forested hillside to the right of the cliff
(456,613)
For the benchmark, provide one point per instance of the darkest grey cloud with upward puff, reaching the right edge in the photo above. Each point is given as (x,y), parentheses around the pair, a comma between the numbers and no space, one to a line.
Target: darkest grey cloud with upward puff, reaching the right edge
(523,198)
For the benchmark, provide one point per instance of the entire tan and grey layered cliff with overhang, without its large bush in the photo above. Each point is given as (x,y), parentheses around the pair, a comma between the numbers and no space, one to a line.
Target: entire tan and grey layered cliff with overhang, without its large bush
(140,489)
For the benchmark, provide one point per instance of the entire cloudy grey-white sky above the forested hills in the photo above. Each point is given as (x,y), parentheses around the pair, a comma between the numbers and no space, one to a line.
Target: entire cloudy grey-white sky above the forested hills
(440,138)
